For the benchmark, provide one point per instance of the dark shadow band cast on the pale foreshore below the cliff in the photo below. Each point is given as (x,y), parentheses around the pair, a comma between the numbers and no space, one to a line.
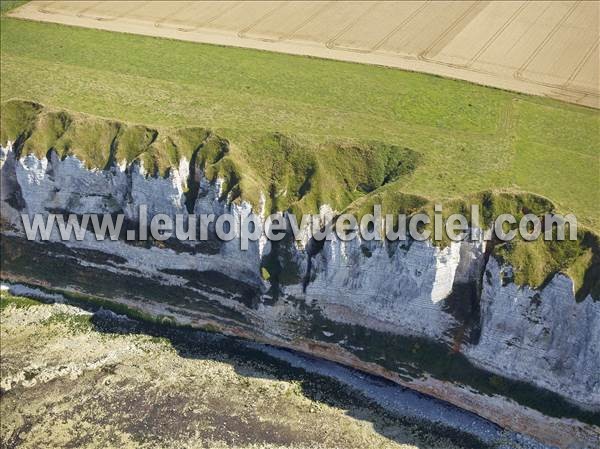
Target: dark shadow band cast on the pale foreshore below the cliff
(202,345)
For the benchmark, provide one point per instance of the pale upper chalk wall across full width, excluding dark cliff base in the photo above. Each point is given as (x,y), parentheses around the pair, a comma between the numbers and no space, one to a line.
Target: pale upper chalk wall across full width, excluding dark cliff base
(540,336)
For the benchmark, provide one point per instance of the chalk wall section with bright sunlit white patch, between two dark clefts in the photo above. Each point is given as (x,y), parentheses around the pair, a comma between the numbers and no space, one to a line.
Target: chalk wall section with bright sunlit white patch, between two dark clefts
(401,289)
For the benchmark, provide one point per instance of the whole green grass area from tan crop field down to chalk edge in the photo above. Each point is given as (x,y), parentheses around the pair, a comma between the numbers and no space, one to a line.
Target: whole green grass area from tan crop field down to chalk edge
(320,131)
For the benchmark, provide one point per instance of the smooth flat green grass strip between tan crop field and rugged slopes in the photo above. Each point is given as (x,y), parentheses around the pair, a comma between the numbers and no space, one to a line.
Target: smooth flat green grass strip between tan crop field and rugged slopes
(470,138)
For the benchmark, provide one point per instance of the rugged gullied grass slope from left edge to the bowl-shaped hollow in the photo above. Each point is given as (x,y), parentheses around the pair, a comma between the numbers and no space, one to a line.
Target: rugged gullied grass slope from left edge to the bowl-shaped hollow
(293,172)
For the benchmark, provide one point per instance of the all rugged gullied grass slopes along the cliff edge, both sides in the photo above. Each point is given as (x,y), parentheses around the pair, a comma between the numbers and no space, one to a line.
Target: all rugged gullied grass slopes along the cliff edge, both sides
(297,174)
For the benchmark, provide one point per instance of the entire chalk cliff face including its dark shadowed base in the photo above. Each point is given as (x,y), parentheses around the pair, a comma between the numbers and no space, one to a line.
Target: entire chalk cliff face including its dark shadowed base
(445,321)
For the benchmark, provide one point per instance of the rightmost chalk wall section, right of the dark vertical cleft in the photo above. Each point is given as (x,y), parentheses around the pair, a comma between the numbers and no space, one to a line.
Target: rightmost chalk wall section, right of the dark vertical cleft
(544,336)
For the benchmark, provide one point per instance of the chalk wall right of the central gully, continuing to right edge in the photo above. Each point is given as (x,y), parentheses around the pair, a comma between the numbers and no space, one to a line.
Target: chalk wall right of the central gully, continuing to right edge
(540,336)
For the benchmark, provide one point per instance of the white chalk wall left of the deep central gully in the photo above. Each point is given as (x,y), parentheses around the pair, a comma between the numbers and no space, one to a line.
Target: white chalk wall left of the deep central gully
(66,186)
